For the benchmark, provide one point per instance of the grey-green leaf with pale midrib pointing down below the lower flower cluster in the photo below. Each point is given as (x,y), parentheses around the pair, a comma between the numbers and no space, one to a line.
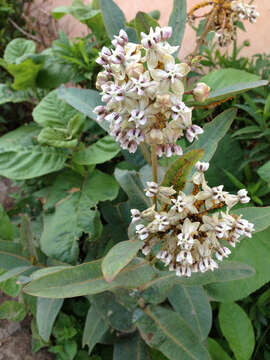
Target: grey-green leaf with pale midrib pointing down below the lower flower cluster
(192,303)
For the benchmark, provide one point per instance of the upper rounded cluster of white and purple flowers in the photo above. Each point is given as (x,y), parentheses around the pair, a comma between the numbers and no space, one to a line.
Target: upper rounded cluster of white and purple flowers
(143,88)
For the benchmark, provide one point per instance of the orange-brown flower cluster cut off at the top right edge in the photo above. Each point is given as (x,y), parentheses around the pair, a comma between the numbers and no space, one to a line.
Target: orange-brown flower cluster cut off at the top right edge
(225,13)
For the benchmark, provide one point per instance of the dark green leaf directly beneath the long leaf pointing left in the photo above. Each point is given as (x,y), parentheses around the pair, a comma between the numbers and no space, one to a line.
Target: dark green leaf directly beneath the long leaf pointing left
(113,313)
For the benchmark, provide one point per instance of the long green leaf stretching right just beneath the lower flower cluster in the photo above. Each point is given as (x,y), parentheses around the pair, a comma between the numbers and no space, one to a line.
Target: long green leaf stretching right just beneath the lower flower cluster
(156,290)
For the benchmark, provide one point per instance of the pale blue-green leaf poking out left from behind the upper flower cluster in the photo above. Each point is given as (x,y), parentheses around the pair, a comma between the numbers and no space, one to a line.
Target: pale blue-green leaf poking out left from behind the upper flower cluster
(82,100)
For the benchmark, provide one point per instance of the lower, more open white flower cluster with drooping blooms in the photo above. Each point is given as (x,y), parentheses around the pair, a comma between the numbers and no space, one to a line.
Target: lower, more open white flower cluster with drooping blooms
(190,230)
